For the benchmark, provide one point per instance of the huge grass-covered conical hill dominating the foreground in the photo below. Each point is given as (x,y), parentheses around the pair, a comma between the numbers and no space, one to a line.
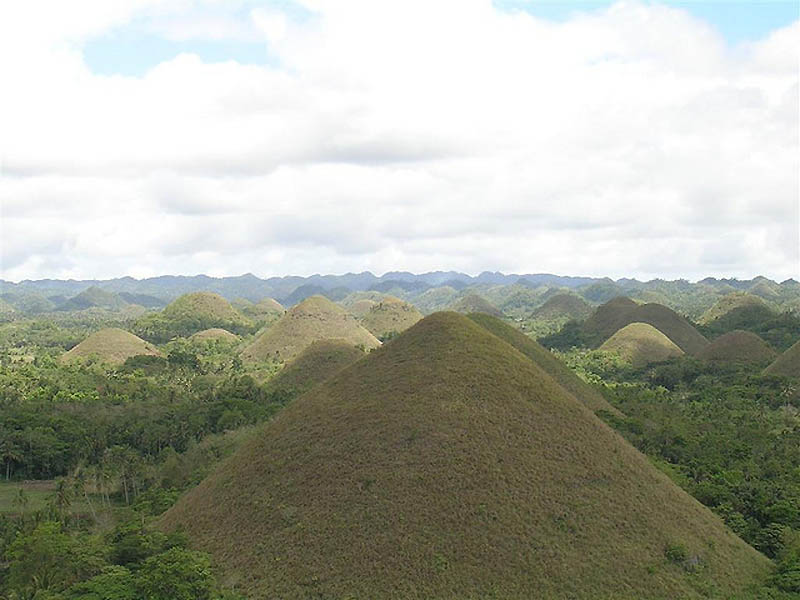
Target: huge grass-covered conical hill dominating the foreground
(448,465)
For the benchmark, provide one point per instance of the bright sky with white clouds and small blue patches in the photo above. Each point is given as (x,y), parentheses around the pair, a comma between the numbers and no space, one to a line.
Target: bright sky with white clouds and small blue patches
(147,137)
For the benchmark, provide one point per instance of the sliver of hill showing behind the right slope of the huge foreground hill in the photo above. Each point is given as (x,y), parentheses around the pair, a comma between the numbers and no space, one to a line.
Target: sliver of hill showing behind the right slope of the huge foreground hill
(547,361)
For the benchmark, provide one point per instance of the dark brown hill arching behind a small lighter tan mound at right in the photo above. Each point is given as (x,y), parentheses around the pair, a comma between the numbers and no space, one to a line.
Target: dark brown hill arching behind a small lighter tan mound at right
(619,312)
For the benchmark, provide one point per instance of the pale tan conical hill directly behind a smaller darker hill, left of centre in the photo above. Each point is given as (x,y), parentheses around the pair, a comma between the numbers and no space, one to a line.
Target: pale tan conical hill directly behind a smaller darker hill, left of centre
(315,318)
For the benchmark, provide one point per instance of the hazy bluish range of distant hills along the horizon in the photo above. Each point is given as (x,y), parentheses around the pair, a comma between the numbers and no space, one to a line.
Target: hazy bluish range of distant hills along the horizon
(518,295)
